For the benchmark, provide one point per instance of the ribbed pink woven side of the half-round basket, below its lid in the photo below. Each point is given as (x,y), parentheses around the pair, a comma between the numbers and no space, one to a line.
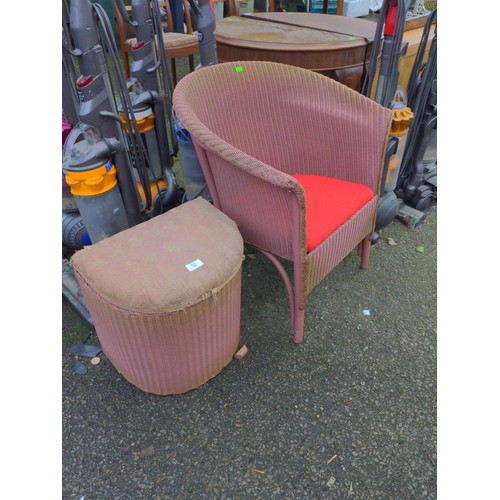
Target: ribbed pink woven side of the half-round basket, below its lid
(174,352)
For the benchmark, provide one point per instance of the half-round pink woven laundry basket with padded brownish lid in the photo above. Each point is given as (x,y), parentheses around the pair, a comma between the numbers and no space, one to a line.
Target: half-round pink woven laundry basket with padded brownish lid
(165,297)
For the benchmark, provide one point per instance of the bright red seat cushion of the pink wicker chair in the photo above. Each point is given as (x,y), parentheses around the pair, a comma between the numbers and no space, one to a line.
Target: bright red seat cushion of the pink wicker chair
(329,203)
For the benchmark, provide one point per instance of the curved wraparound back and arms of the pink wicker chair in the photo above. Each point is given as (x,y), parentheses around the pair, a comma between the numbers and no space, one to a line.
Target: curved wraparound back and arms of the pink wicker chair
(256,123)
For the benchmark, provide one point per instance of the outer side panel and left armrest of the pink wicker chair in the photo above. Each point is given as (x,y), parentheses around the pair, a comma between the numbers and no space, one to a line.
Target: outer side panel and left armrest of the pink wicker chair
(268,205)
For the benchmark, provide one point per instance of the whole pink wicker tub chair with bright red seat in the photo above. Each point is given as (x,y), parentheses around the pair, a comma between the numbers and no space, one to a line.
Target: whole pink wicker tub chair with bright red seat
(294,158)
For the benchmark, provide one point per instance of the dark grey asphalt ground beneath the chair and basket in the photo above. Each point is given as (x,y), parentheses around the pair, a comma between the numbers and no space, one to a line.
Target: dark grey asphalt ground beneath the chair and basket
(349,413)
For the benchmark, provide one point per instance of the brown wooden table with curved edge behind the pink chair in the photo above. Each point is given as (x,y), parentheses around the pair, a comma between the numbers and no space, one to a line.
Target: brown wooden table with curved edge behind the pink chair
(336,46)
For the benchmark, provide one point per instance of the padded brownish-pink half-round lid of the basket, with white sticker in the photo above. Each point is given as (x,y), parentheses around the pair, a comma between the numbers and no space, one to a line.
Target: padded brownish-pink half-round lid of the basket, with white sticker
(167,263)
